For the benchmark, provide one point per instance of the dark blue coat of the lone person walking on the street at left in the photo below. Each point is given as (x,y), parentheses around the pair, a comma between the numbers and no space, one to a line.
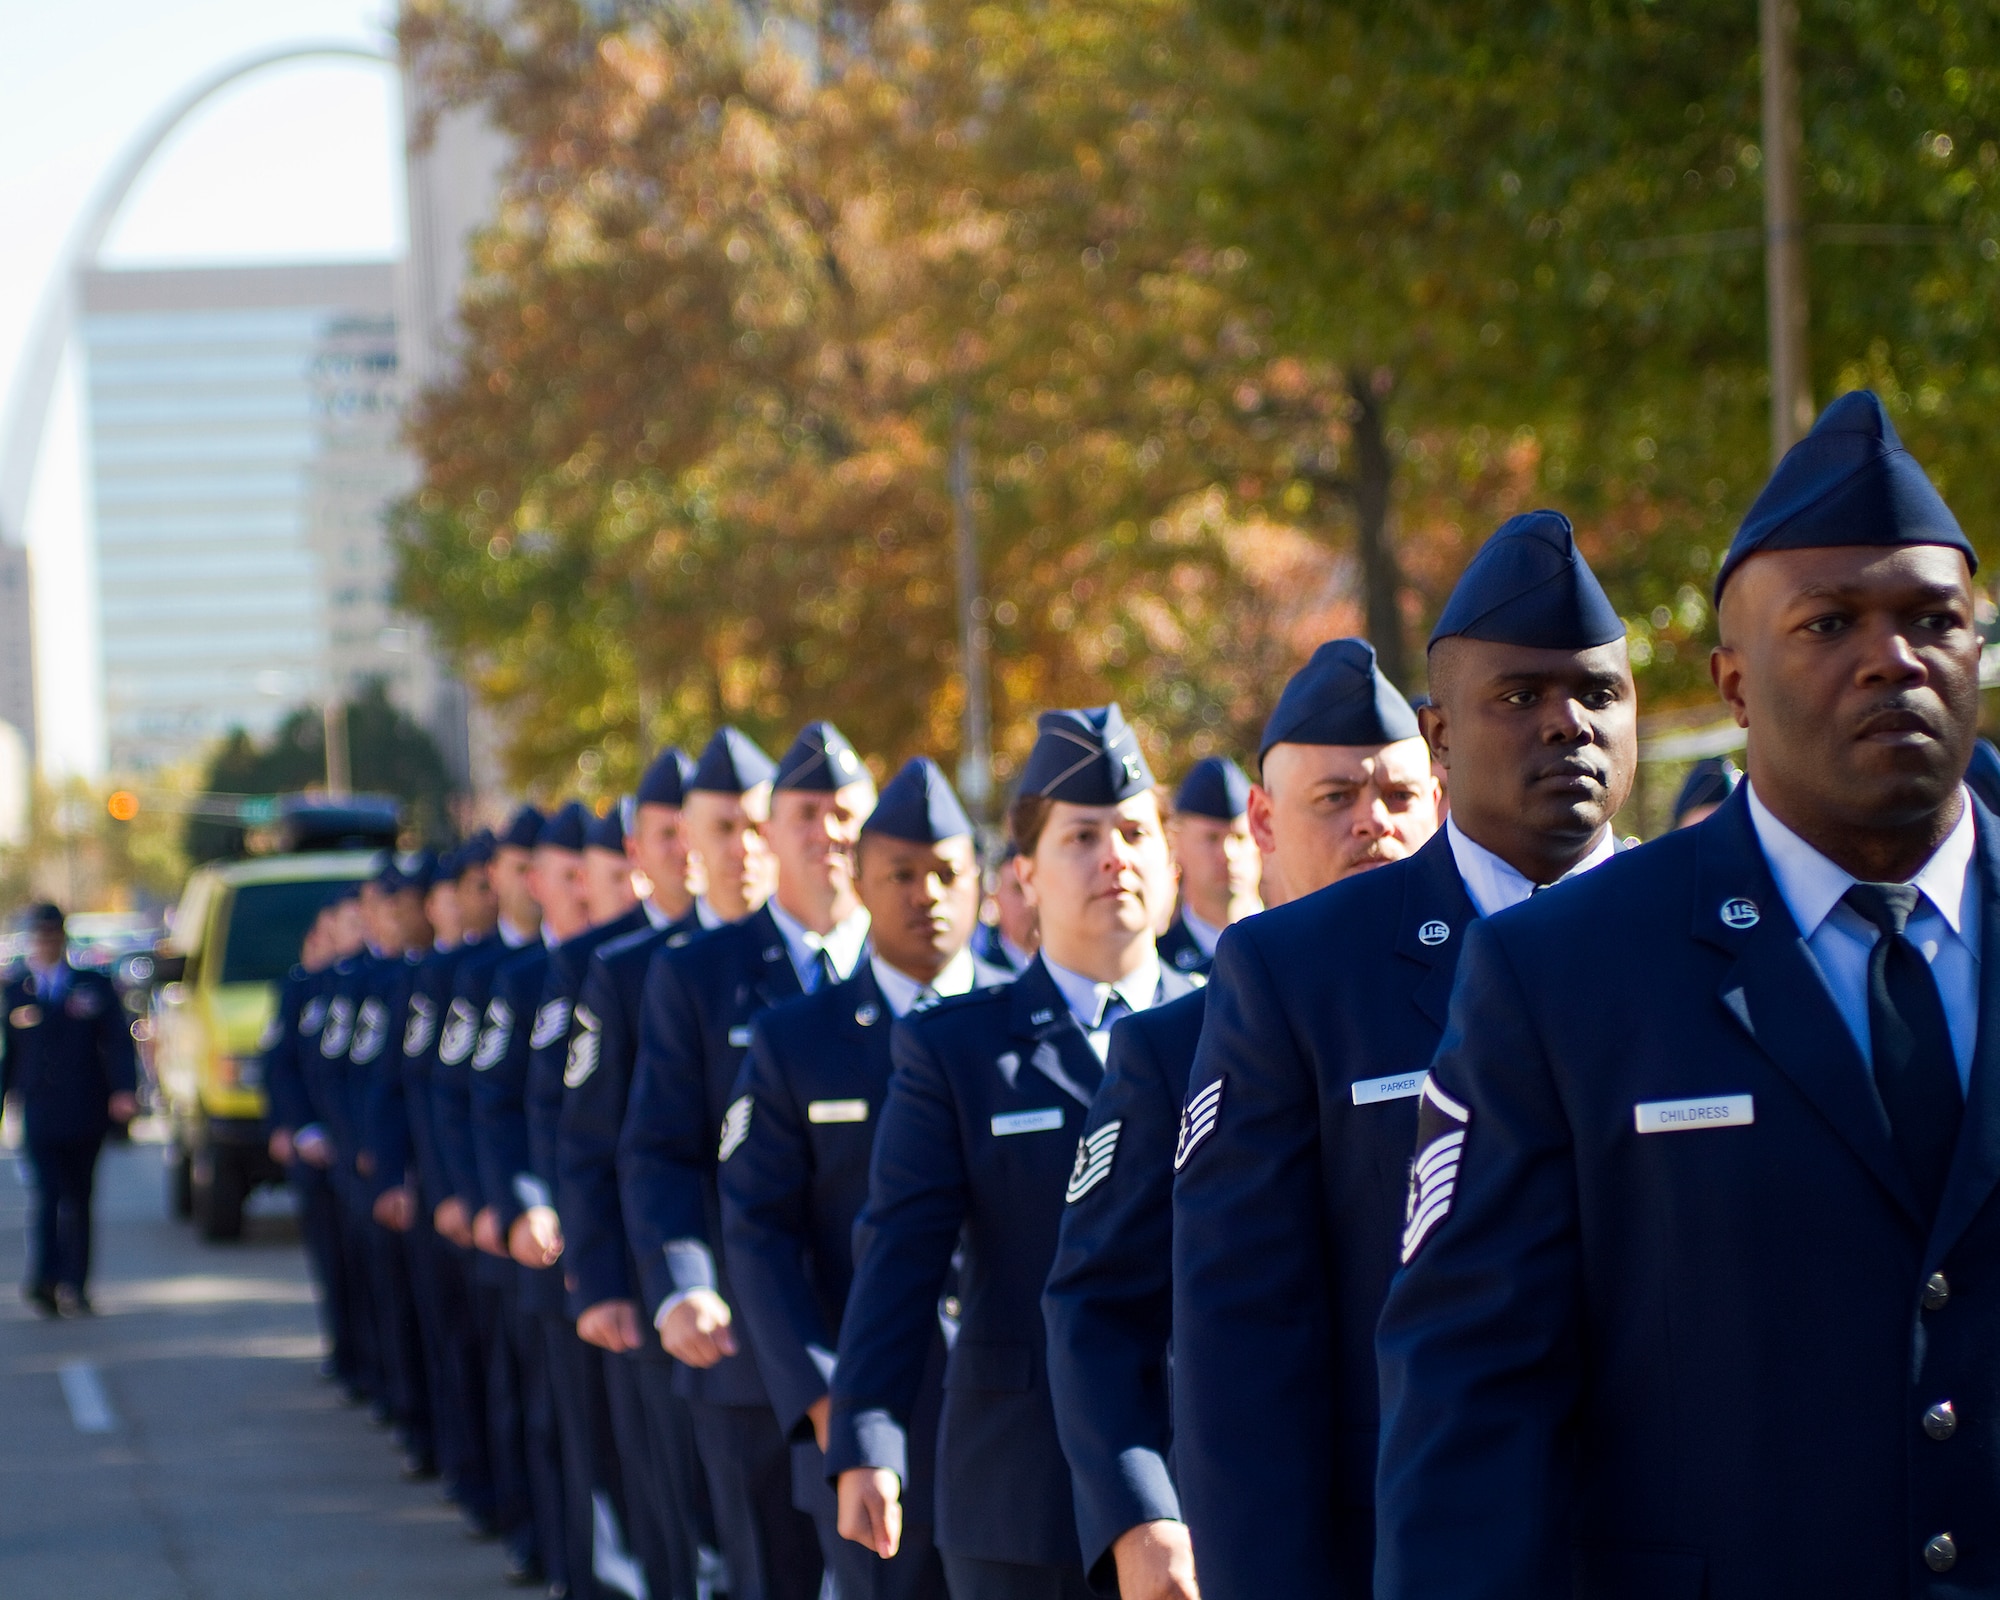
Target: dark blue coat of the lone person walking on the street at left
(67,1053)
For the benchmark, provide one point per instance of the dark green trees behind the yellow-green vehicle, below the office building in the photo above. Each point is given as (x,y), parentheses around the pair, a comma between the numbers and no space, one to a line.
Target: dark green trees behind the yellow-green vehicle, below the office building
(389,753)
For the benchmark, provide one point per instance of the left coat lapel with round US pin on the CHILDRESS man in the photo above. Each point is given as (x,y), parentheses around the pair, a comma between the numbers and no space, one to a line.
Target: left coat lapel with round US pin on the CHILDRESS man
(1775,993)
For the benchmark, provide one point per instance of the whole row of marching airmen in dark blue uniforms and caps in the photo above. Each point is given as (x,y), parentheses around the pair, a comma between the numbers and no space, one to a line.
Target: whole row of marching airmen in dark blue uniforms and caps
(1297,1191)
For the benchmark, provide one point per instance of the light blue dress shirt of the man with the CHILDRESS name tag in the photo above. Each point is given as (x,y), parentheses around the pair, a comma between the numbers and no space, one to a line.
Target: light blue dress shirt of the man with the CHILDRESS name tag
(1839,939)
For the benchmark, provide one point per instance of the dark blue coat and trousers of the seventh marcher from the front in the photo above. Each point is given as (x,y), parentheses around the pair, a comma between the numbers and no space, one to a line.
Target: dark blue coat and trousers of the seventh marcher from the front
(653,1431)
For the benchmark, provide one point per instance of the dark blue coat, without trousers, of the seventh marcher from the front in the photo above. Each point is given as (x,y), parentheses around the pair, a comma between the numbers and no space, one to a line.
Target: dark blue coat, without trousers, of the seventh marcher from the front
(597,1085)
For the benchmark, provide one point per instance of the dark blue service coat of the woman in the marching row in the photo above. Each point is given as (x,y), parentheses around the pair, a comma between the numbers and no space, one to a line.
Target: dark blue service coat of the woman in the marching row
(977,1147)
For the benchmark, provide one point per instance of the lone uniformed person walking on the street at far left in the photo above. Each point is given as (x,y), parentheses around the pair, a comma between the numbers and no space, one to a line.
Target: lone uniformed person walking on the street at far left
(71,1067)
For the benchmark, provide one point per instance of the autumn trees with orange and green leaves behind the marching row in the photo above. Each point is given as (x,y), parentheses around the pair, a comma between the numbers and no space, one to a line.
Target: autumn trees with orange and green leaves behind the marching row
(1251,317)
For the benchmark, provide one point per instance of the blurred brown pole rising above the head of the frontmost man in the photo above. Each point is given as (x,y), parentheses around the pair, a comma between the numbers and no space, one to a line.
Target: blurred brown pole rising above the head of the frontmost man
(1785,231)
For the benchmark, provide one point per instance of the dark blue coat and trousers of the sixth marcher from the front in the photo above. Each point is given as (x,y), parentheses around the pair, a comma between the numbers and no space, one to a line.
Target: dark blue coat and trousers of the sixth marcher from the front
(695,1027)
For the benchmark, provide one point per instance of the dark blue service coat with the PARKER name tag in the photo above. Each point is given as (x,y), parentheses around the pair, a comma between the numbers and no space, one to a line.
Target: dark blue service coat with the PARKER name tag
(1289,1211)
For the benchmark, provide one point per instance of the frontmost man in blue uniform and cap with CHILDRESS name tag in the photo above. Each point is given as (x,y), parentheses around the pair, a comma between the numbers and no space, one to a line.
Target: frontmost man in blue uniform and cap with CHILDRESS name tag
(1695,1293)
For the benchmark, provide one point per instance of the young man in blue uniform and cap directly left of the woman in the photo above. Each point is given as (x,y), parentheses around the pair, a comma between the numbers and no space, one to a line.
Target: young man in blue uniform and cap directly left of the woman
(809,1101)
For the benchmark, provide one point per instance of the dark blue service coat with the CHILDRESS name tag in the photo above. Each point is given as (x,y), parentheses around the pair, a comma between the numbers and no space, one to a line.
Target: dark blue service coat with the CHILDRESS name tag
(1681,1325)
